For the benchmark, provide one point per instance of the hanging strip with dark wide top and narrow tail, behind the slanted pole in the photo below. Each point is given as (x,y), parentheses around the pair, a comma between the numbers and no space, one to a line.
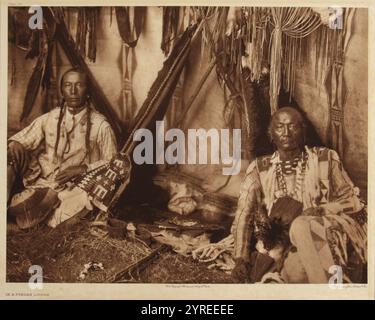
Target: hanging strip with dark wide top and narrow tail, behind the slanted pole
(130,22)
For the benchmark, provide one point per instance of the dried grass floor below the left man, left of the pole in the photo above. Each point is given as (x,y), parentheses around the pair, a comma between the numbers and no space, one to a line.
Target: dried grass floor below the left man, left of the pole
(63,254)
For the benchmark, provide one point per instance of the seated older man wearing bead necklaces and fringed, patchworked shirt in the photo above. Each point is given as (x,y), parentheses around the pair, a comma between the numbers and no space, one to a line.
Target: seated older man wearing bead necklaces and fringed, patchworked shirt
(299,214)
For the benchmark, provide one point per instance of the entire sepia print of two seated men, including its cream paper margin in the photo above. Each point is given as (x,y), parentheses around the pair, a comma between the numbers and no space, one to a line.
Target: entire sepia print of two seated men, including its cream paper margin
(187,145)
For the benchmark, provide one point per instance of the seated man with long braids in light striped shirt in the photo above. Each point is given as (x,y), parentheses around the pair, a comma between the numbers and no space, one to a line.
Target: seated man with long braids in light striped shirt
(54,149)
